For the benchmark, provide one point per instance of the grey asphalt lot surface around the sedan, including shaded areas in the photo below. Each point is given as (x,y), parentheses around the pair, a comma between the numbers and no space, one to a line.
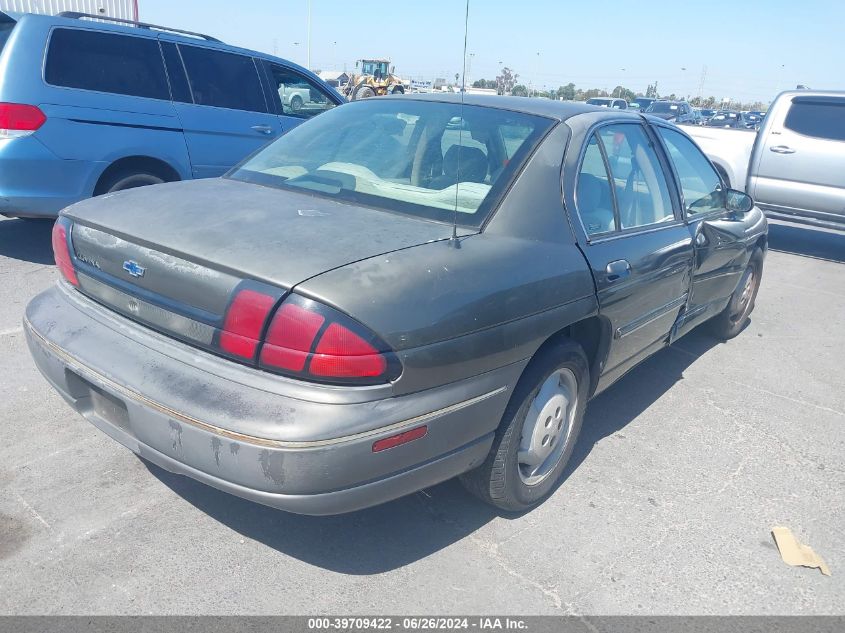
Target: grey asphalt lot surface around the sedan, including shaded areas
(682,469)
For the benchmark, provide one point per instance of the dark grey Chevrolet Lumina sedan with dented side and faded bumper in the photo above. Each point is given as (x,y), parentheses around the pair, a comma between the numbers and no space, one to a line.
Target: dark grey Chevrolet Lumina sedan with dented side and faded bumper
(382,299)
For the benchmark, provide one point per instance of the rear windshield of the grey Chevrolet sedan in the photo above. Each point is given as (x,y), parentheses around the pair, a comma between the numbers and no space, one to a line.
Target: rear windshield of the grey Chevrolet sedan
(426,159)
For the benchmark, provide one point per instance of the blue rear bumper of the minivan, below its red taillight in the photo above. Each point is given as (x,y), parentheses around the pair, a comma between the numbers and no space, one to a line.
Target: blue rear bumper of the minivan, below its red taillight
(34,182)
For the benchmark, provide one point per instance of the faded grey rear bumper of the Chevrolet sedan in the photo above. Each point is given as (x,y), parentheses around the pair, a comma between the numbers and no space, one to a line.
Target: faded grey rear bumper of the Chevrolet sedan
(214,421)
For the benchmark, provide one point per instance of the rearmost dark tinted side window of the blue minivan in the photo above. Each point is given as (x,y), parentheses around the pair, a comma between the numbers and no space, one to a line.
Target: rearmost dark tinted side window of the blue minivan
(106,62)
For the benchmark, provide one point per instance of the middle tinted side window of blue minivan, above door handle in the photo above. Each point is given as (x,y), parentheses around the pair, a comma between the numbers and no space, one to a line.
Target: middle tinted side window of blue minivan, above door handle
(223,80)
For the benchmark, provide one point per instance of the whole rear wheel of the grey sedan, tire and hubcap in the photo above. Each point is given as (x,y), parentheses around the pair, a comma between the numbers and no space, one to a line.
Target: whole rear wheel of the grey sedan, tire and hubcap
(538,431)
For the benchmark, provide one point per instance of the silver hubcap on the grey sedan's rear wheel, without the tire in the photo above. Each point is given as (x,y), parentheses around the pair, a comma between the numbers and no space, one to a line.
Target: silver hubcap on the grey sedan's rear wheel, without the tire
(548,427)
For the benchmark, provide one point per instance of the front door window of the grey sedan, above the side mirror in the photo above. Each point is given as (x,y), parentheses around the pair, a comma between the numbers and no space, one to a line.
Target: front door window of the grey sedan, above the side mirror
(700,184)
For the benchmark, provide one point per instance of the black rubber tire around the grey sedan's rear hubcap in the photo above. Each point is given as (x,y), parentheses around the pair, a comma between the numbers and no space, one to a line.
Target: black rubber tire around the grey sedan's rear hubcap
(498,481)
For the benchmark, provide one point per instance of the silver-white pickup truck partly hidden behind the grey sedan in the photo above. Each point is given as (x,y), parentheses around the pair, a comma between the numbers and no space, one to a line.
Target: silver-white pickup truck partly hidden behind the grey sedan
(794,166)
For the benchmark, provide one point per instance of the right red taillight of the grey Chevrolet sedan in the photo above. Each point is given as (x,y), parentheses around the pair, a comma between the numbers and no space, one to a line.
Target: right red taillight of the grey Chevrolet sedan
(310,340)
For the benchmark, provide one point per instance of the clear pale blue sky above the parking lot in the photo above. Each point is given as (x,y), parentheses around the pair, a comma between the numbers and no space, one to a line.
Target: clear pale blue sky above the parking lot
(751,48)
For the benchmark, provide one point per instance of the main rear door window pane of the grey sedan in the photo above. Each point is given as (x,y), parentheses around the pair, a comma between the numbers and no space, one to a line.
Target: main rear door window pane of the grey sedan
(642,193)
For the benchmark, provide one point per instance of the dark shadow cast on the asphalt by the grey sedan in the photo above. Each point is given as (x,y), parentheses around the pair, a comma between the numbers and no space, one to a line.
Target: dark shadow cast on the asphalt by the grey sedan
(398,533)
